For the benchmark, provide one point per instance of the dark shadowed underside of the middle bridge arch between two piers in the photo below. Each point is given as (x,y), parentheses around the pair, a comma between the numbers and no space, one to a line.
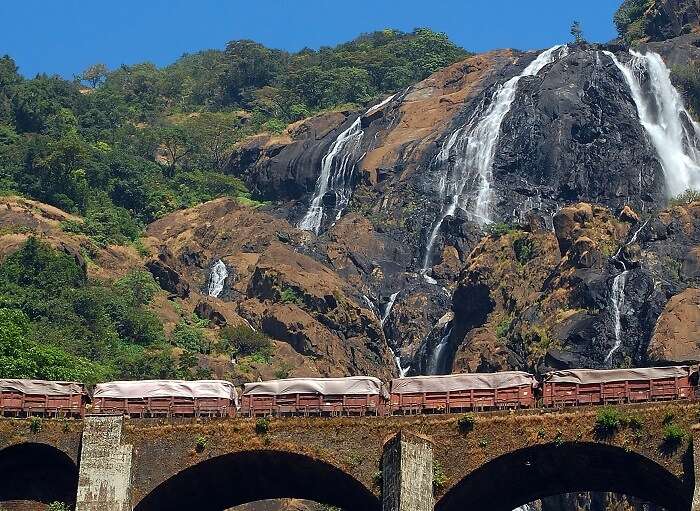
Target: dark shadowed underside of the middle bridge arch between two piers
(232,479)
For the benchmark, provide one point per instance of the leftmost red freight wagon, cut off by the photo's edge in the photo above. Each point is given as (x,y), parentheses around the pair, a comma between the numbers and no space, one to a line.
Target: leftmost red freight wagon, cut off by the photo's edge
(24,398)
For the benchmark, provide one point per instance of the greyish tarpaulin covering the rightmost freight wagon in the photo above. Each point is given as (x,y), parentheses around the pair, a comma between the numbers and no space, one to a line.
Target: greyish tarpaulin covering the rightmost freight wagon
(583,376)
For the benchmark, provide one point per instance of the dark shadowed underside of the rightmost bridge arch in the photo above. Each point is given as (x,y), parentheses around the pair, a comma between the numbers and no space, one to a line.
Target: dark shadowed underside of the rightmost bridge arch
(528,474)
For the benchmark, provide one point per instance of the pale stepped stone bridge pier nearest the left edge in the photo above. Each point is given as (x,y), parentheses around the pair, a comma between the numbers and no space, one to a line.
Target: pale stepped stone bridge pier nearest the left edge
(104,479)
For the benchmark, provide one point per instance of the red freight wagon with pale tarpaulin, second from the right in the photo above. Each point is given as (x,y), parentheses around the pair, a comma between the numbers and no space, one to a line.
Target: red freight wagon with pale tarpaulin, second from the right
(460,392)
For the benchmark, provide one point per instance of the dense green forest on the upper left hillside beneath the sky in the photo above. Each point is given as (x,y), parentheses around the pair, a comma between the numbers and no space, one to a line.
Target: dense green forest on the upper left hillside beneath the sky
(124,147)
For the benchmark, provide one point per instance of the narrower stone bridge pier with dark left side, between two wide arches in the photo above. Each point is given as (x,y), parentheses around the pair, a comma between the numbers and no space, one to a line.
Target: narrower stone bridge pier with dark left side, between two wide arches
(407,474)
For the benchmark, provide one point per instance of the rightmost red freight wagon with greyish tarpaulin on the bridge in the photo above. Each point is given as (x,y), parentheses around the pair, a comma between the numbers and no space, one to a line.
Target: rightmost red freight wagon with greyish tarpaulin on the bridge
(592,387)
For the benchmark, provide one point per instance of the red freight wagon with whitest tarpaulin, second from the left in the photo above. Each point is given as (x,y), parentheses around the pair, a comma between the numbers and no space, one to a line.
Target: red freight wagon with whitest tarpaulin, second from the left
(166,398)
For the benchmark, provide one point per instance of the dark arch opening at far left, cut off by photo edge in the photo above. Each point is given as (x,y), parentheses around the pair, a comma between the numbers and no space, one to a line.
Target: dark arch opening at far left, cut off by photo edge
(37,472)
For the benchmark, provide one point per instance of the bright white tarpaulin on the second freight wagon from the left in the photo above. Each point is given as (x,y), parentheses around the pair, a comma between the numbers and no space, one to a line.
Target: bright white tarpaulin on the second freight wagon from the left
(143,389)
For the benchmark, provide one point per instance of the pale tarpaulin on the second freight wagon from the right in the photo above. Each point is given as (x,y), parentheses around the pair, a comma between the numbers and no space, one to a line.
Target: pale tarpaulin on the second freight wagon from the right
(464,381)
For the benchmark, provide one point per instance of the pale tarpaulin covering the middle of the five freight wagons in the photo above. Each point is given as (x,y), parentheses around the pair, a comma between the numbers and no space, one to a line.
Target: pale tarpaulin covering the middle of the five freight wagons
(359,385)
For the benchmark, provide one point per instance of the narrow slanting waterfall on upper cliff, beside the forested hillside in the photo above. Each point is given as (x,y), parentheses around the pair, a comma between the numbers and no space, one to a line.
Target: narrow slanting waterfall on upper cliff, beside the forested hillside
(337,169)
